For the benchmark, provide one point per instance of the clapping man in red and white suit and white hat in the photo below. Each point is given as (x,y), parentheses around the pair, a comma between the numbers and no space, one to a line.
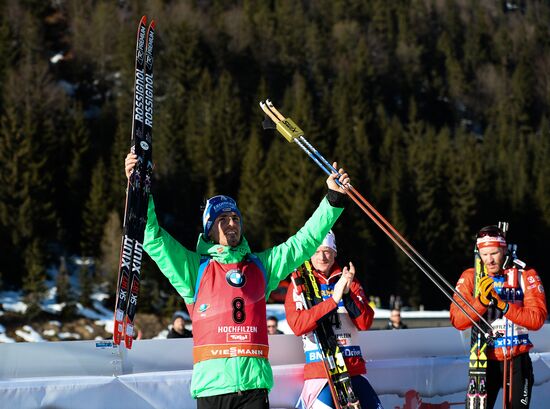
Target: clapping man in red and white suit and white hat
(345,304)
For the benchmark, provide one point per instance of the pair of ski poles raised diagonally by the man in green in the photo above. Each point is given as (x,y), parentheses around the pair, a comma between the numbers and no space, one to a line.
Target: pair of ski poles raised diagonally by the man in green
(293,133)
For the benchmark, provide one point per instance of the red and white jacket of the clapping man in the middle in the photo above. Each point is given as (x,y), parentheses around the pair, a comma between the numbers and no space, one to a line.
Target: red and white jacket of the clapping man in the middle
(354,314)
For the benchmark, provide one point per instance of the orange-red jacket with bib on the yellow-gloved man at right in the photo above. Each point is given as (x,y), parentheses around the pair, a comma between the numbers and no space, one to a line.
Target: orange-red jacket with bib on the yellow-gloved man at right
(524,292)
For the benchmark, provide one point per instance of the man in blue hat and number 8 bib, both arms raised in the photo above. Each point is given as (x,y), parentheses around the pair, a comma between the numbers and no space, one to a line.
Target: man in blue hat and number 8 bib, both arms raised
(225,287)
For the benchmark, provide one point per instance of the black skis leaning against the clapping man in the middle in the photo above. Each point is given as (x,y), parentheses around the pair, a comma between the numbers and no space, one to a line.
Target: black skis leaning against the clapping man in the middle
(338,377)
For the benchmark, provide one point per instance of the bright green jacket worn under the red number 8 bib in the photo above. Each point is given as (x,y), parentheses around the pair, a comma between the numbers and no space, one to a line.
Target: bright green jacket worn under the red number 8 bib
(215,376)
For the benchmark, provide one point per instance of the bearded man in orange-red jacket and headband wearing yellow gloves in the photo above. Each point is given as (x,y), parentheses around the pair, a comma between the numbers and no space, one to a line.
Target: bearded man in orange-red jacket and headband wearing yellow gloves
(511,297)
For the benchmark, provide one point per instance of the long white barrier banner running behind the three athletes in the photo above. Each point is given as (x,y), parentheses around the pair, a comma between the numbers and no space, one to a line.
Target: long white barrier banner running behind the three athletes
(404,367)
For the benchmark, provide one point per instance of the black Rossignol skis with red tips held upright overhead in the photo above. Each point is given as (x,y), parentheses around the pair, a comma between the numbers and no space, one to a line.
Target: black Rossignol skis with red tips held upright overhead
(139,187)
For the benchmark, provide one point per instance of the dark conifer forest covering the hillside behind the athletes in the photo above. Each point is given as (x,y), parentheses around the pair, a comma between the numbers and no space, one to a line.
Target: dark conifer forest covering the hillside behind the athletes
(438,109)
